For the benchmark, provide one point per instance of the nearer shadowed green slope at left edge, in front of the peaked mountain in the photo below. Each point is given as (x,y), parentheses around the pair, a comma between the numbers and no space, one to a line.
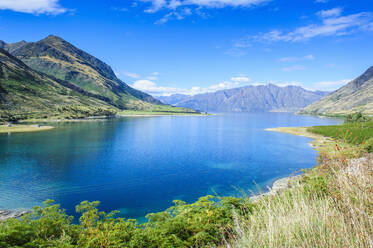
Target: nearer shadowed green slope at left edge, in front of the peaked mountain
(25,93)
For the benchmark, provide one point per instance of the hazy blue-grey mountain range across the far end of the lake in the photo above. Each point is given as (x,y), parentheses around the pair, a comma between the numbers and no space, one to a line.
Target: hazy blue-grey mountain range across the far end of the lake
(262,98)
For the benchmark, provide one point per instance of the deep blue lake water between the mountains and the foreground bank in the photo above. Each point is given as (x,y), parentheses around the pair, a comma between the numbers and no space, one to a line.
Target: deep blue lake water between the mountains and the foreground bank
(139,165)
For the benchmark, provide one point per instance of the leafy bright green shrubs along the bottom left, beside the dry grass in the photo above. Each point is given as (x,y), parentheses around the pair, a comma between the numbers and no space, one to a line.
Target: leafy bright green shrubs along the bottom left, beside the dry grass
(204,223)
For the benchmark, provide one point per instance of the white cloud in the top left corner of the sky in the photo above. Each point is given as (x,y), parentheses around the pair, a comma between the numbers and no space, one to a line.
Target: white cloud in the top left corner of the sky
(33,6)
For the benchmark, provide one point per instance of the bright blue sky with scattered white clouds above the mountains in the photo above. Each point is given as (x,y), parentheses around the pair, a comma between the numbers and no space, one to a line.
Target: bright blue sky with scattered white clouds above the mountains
(166,47)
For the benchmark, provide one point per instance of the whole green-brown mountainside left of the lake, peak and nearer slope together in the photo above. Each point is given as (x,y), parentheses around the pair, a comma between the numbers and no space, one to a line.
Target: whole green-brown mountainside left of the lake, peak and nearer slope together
(52,76)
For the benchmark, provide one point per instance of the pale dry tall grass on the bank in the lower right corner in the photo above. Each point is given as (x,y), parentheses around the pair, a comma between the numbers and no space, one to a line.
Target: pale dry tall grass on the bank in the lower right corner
(333,207)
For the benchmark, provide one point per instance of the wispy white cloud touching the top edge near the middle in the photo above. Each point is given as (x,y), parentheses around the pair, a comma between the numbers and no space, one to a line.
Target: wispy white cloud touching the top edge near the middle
(179,9)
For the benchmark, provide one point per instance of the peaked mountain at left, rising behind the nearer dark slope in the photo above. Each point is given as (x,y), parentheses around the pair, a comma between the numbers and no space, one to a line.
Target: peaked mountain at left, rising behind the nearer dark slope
(60,59)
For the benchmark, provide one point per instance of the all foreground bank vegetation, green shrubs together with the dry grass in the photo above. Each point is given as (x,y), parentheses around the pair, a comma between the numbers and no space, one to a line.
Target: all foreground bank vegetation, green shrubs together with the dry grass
(331,205)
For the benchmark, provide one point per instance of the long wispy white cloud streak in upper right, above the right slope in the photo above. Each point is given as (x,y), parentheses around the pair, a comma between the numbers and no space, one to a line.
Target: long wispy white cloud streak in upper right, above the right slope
(332,24)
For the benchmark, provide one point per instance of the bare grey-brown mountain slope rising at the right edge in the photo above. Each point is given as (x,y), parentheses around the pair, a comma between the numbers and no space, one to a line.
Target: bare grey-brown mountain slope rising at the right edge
(356,96)
